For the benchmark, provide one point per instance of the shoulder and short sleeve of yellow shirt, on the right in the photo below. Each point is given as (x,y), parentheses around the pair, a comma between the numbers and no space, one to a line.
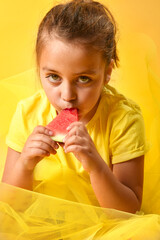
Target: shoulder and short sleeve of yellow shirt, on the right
(126,127)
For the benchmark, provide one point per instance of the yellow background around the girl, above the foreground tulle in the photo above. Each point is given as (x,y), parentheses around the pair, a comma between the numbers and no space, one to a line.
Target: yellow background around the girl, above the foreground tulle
(138,76)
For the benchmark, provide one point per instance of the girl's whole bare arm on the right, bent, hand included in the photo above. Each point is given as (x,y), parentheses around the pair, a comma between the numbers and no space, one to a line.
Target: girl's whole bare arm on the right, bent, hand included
(119,188)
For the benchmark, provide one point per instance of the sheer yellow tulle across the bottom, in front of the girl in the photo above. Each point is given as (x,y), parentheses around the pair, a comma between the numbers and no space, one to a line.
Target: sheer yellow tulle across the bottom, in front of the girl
(27,215)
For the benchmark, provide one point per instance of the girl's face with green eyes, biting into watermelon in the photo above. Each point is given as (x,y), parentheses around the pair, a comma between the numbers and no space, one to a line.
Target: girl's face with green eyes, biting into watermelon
(72,76)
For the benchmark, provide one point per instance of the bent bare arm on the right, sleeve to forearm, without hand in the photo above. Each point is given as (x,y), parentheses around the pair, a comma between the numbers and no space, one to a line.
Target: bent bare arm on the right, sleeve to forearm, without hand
(121,188)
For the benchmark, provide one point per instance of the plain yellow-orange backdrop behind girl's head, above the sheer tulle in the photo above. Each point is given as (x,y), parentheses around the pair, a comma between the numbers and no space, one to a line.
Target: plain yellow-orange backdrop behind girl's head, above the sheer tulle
(19,20)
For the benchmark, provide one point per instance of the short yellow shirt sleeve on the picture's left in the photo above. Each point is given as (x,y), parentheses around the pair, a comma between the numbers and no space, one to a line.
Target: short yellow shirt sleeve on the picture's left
(17,134)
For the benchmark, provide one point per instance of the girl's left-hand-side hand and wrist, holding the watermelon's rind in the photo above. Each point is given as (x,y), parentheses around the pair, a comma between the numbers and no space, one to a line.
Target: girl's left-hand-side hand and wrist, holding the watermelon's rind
(38,145)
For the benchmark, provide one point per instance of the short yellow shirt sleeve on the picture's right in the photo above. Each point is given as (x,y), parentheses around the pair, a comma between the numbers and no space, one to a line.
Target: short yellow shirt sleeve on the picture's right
(127,138)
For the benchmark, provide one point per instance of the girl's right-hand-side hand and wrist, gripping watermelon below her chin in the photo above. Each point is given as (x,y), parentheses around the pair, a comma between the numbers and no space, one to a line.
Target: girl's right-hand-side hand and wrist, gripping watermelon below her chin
(79,142)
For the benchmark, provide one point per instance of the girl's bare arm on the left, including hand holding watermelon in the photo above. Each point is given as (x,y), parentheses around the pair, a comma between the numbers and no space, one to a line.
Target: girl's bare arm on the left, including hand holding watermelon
(19,167)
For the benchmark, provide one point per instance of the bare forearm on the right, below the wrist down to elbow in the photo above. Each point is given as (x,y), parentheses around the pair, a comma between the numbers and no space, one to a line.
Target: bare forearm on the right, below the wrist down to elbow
(111,193)
